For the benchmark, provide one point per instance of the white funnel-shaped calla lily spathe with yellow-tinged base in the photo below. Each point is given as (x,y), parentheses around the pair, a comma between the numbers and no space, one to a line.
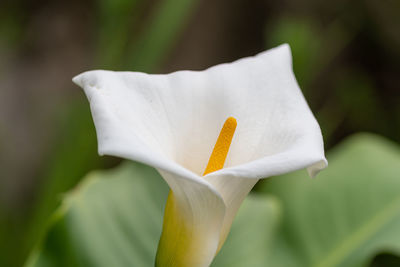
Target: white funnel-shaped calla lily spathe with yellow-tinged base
(172,121)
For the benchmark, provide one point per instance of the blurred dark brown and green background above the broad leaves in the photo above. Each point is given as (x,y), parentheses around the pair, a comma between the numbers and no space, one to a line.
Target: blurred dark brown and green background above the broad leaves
(346,59)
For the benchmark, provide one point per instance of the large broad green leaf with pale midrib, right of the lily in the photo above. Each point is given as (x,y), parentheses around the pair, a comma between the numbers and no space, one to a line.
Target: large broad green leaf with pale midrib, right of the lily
(345,216)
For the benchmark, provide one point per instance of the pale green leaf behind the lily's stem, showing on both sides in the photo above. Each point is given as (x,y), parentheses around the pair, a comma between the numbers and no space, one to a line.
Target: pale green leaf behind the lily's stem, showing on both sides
(114,218)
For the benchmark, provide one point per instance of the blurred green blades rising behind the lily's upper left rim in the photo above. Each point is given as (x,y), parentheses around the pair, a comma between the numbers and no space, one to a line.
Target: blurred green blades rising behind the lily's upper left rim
(126,42)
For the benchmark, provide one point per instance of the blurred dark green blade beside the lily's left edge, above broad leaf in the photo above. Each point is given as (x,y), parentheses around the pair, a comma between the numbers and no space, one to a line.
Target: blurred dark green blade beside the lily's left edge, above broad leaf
(75,153)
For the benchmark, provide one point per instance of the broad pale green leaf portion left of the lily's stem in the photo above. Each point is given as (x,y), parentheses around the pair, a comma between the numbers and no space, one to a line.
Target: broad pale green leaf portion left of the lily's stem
(113,218)
